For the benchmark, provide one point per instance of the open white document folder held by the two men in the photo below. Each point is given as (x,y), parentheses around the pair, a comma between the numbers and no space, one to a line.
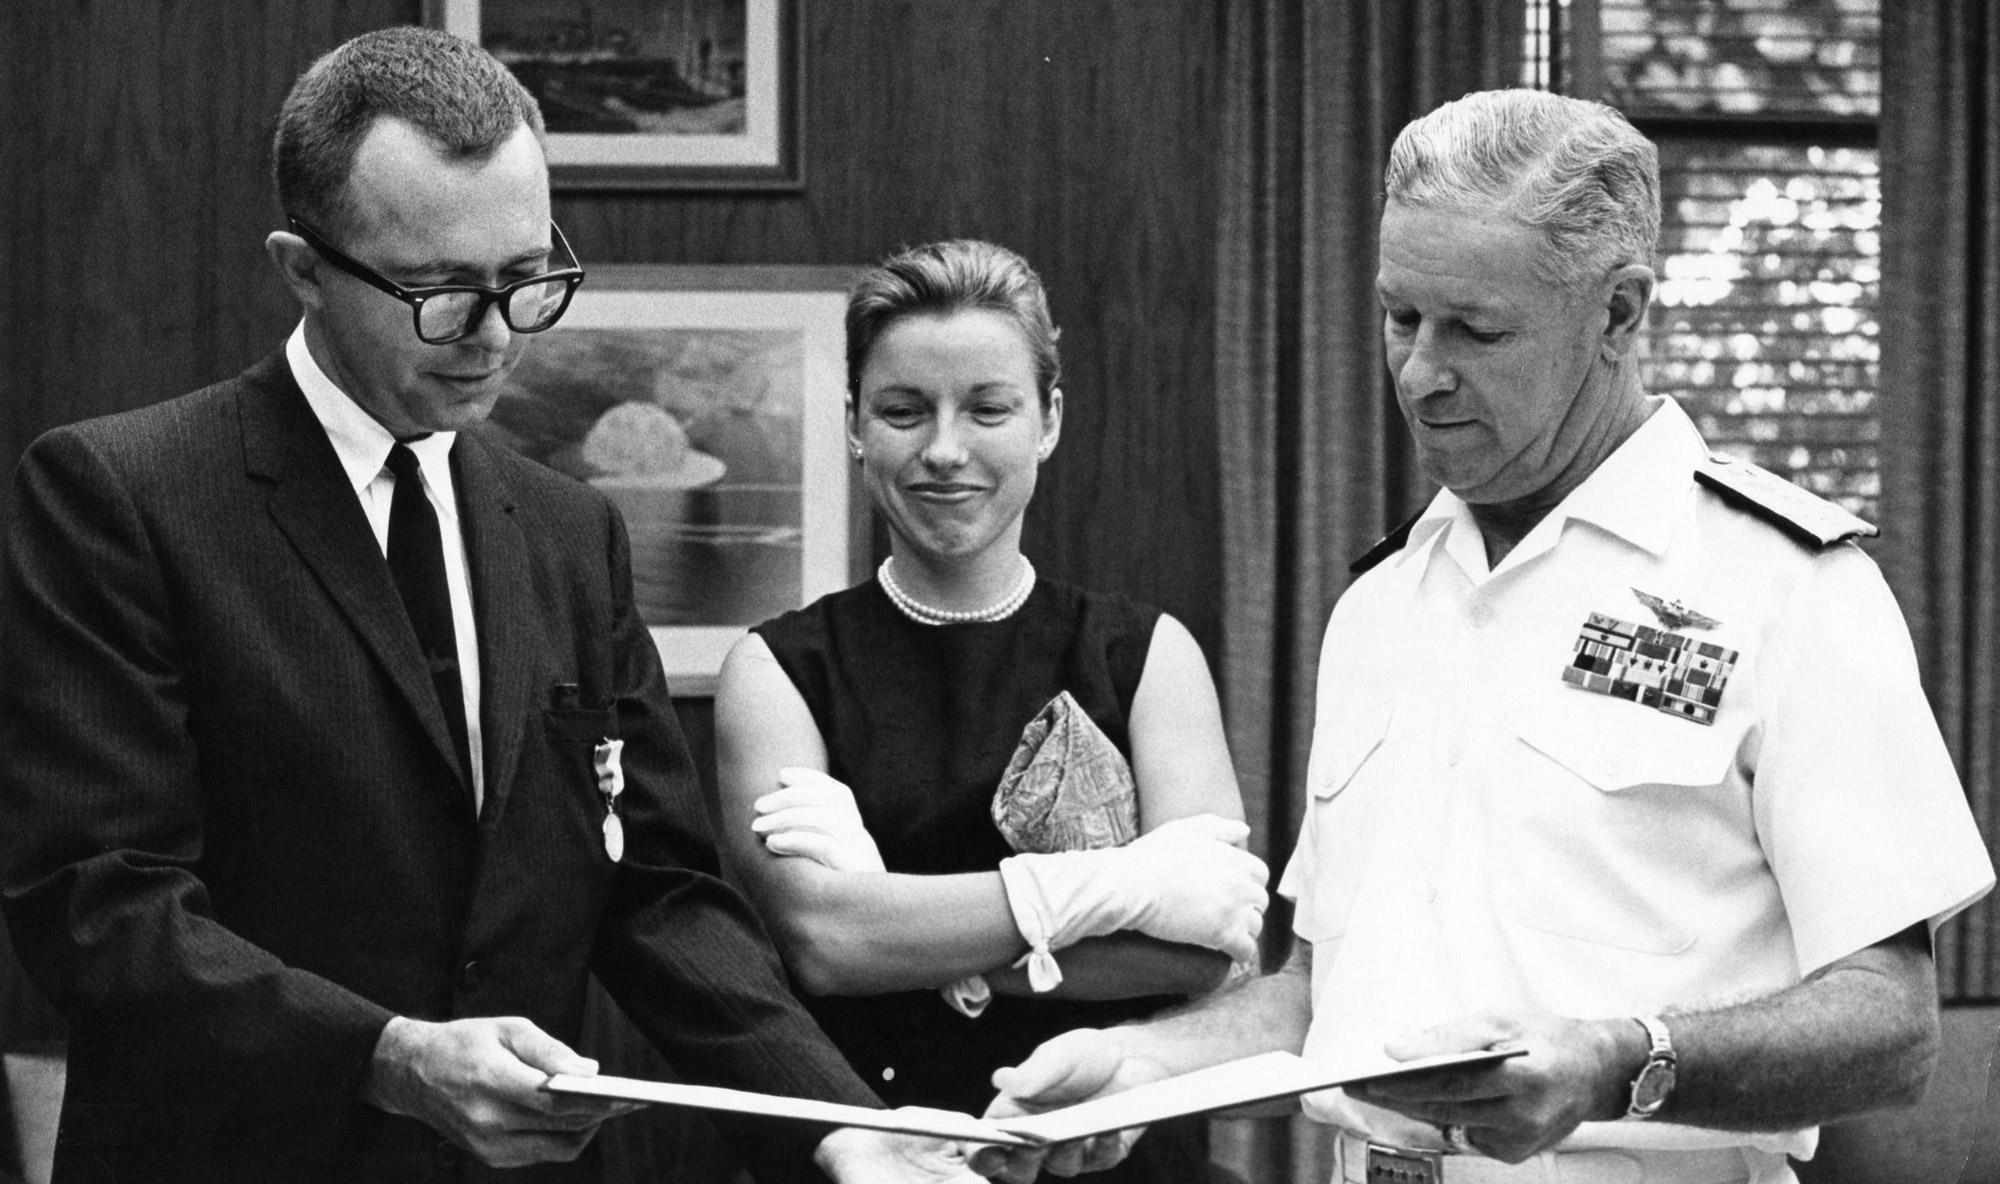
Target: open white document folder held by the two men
(1223,1087)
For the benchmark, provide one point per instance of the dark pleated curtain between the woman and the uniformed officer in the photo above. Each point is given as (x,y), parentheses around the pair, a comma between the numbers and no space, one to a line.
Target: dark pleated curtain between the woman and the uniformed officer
(1315,457)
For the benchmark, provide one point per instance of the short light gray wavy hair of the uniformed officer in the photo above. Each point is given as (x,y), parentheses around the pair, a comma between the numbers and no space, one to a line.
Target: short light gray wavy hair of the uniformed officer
(1573,169)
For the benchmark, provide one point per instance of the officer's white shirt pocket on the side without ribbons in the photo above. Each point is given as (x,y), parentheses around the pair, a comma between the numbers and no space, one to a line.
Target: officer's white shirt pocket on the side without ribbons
(1349,785)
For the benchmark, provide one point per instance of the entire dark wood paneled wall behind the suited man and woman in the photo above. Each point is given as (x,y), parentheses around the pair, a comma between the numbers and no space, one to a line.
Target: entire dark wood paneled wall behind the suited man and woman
(1079,133)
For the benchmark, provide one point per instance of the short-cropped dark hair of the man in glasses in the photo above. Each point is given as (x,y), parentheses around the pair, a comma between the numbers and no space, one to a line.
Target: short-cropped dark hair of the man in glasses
(455,93)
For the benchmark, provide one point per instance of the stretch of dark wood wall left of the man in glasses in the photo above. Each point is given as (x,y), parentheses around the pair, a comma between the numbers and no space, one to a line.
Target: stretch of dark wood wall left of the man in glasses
(137,195)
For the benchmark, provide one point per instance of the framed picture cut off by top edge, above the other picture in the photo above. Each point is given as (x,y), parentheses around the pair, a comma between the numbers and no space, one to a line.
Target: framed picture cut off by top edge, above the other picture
(661,95)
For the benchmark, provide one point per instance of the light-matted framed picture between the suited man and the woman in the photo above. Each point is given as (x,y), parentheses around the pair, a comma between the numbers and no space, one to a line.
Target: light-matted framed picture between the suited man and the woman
(709,405)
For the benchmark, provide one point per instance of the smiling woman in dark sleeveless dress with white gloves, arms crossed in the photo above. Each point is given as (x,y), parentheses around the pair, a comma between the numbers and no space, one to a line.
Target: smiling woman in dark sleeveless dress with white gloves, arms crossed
(865,737)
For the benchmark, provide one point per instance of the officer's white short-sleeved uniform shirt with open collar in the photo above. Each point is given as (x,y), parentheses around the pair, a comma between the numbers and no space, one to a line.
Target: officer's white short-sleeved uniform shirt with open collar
(1485,835)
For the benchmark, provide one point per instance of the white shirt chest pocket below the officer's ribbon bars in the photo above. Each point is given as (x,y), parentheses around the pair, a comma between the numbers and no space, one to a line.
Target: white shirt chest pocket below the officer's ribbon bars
(1617,819)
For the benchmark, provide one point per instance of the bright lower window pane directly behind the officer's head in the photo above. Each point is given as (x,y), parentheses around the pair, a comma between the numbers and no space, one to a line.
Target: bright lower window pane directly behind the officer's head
(1765,323)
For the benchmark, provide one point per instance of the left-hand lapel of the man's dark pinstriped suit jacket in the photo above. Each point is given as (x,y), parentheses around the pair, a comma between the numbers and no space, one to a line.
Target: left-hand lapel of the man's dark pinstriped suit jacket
(317,509)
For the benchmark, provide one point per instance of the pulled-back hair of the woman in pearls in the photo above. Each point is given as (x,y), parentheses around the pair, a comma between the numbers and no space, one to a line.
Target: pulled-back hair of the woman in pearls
(953,277)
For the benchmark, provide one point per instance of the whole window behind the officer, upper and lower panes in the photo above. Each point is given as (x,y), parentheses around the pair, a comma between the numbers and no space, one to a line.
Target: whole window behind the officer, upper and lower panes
(1765,115)
